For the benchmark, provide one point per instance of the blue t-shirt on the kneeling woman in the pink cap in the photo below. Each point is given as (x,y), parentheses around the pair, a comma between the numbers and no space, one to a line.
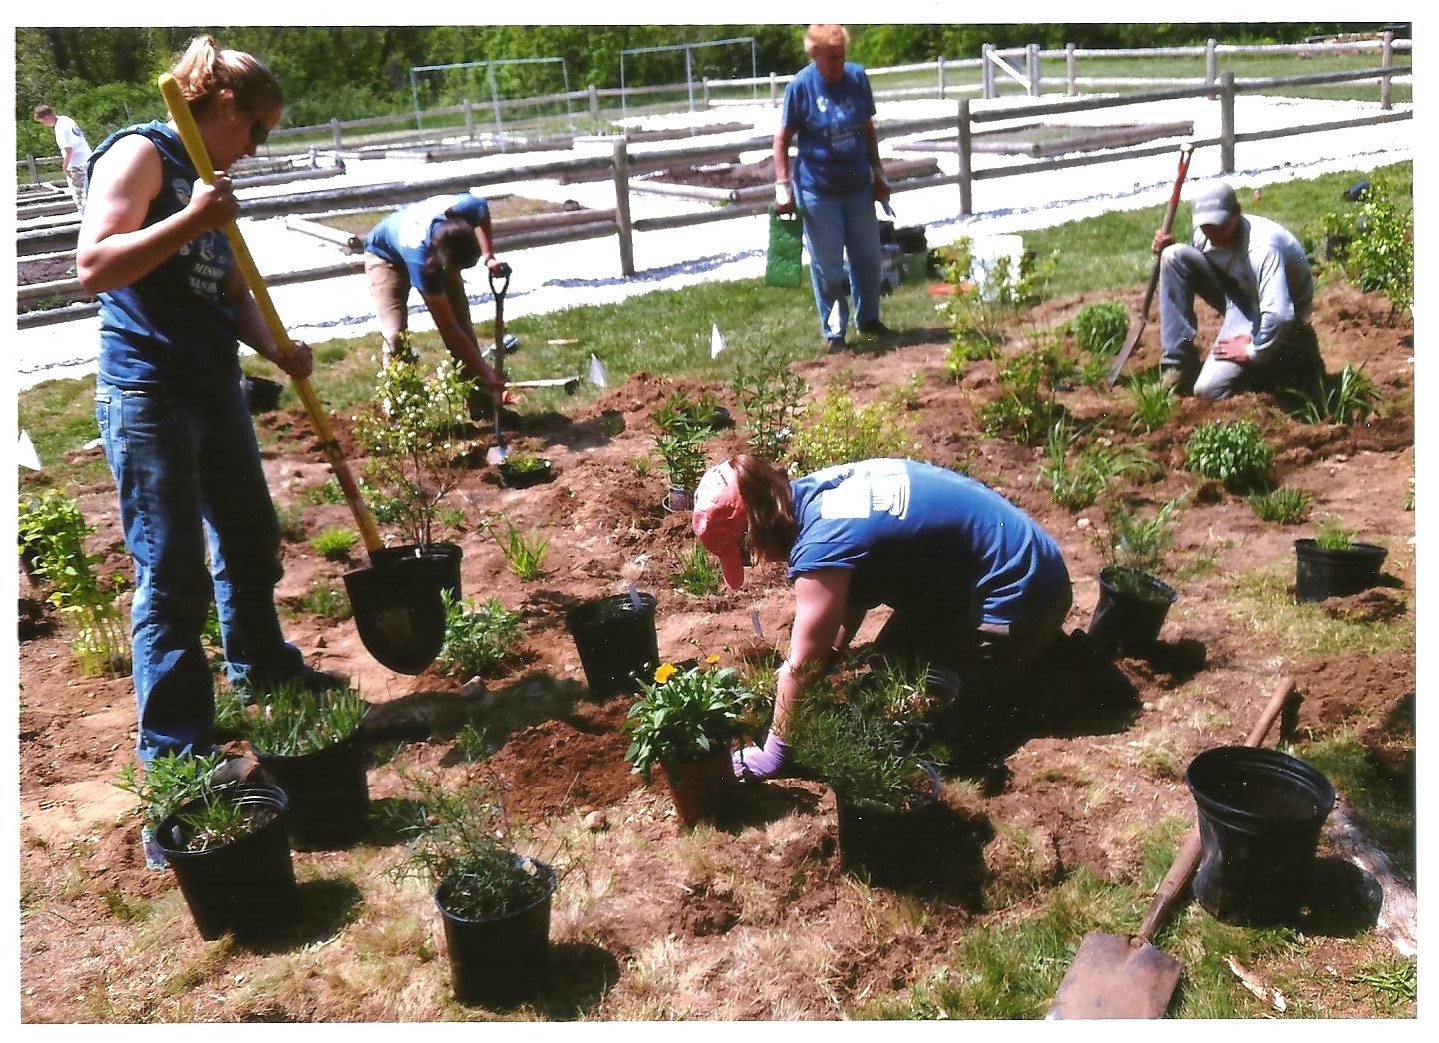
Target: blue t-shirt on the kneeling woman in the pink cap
(923,537)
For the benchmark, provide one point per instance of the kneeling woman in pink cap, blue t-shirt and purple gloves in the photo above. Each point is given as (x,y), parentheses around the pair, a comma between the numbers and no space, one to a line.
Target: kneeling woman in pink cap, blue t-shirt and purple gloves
(962,569)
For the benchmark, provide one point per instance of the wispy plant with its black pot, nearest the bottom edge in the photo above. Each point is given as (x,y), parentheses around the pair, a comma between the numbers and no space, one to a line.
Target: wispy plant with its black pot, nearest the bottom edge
(494,901)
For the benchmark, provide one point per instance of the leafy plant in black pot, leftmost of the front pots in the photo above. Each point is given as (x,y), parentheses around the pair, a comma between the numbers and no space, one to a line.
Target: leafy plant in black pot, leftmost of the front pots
(227,842)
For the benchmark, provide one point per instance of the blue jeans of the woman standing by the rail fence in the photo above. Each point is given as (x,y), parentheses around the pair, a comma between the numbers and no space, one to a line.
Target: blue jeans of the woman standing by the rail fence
(837,227)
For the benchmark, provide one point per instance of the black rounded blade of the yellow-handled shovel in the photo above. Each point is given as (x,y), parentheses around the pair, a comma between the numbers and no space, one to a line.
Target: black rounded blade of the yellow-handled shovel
(399,612)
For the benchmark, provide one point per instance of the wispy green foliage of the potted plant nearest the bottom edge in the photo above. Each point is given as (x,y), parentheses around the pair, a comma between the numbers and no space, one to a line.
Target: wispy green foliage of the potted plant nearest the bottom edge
(463,844)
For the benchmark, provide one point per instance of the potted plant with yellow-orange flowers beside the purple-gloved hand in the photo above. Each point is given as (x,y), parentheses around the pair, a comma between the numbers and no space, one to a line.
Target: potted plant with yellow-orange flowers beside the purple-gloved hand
(684,723)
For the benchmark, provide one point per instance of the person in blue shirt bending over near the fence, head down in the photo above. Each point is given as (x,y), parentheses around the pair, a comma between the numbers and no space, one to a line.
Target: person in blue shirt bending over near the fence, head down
(430,245)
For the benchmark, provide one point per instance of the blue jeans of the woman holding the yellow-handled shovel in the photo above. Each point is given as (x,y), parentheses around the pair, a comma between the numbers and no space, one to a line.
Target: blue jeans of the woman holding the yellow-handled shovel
(188,471)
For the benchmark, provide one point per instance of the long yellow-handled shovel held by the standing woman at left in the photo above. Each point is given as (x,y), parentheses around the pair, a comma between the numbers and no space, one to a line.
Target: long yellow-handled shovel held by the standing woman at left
(407,629)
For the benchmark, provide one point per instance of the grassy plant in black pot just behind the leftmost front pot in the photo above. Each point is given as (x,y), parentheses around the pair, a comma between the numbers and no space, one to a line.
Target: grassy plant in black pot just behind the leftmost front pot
(310,744)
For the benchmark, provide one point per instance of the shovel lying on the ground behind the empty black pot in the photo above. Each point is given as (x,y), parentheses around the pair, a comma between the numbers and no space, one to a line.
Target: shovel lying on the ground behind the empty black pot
(1117,976)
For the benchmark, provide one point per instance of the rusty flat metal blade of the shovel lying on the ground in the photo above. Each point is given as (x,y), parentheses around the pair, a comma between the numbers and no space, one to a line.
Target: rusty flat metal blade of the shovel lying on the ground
(1116,976)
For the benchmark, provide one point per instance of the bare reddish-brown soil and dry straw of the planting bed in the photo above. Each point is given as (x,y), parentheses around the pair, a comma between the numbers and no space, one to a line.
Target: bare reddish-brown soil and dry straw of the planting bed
(752,919)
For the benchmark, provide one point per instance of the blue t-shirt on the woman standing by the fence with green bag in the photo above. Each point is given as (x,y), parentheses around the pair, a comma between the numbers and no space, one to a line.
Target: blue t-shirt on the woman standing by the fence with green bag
(828,122)
